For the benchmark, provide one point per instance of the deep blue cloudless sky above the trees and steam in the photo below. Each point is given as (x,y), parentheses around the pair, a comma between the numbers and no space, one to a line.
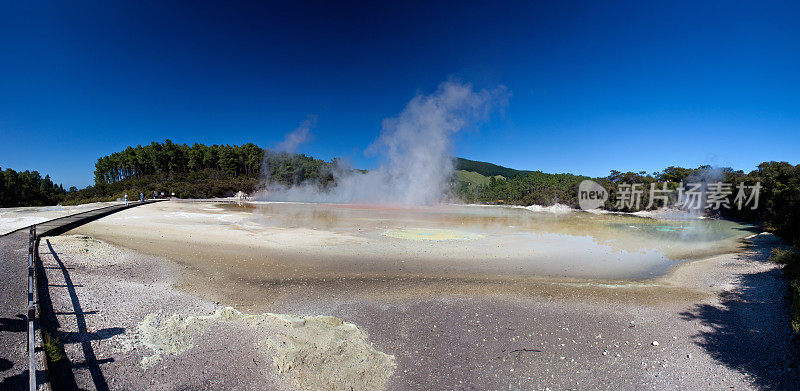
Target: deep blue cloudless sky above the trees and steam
(594,86)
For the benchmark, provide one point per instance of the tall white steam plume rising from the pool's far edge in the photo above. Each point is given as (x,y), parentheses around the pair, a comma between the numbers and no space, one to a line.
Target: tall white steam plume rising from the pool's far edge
(415,147)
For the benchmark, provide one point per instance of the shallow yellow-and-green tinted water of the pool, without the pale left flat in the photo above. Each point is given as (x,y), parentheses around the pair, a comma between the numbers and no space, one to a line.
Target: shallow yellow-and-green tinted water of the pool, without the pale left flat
(486,239)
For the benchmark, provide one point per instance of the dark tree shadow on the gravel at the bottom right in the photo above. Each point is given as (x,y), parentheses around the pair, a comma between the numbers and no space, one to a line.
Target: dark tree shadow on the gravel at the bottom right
(749,330)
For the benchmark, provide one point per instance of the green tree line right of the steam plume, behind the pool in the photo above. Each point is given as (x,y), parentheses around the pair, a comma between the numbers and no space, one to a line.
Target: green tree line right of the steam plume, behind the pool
(779,198)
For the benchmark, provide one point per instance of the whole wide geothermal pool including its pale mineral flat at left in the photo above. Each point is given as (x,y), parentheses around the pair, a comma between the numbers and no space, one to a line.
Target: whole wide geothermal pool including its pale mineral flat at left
(273,241)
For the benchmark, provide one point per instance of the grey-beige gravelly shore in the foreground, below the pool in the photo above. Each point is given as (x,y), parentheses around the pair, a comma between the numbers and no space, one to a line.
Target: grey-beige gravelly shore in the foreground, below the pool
(168,323)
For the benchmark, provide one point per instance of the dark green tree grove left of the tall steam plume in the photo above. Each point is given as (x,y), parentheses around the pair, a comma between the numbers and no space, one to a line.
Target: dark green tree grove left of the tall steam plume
(197,171)
